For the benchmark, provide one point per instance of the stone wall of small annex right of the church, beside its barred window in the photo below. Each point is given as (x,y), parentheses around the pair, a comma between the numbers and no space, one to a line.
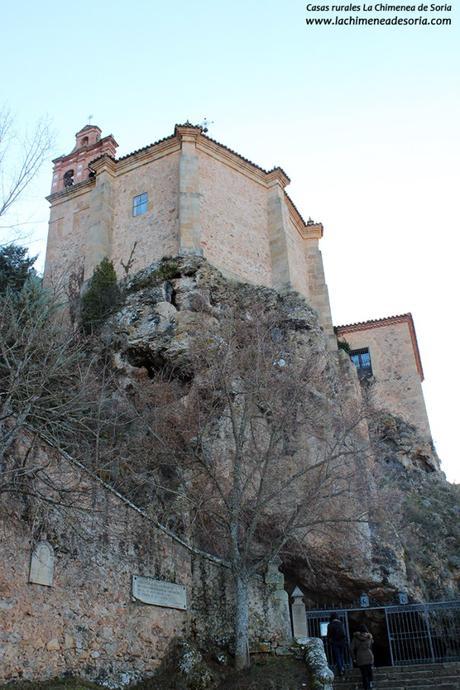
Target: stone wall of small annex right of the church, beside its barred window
(397,374)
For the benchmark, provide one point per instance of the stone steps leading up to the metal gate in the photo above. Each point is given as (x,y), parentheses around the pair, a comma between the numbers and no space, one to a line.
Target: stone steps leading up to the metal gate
(418,677)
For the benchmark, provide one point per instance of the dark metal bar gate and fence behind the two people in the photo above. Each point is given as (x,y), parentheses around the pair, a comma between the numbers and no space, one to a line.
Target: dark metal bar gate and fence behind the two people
(417,633)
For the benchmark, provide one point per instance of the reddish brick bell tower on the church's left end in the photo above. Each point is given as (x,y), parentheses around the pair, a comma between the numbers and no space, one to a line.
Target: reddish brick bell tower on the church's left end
(72,168)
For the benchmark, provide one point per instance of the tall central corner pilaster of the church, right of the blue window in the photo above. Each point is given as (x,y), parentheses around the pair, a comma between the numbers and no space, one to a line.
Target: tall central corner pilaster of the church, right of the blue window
(189,193)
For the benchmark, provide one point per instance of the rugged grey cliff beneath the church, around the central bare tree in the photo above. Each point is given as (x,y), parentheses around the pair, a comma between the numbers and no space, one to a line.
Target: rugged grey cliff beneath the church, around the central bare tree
(412,537)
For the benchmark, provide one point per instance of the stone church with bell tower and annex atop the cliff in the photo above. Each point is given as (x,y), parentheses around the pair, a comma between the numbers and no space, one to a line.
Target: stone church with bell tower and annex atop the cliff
(189,194)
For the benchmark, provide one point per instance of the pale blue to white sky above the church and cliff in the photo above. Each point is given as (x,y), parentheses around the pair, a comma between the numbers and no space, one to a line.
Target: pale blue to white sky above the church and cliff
(365,121)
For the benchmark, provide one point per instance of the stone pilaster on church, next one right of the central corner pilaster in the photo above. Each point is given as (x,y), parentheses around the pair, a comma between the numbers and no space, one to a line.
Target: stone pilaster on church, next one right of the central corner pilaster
(278,221)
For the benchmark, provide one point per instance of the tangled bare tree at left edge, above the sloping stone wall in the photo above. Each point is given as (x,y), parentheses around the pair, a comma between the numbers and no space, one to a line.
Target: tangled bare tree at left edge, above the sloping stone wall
(51,385)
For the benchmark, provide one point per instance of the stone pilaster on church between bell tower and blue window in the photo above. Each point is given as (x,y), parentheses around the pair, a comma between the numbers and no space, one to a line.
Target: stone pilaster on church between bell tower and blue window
(99,234)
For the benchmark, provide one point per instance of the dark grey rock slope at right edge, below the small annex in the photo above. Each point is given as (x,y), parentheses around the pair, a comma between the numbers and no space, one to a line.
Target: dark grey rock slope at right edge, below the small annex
(423,544)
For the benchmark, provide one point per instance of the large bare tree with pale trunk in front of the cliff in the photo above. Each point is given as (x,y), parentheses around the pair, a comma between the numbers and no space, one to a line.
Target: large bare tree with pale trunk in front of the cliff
(256,446)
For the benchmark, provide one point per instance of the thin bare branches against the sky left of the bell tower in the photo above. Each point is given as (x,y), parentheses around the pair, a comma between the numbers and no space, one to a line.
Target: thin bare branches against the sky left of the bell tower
(20,158)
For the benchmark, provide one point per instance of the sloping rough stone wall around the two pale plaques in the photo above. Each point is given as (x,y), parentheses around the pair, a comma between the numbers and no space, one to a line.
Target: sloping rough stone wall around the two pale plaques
(86,622)
